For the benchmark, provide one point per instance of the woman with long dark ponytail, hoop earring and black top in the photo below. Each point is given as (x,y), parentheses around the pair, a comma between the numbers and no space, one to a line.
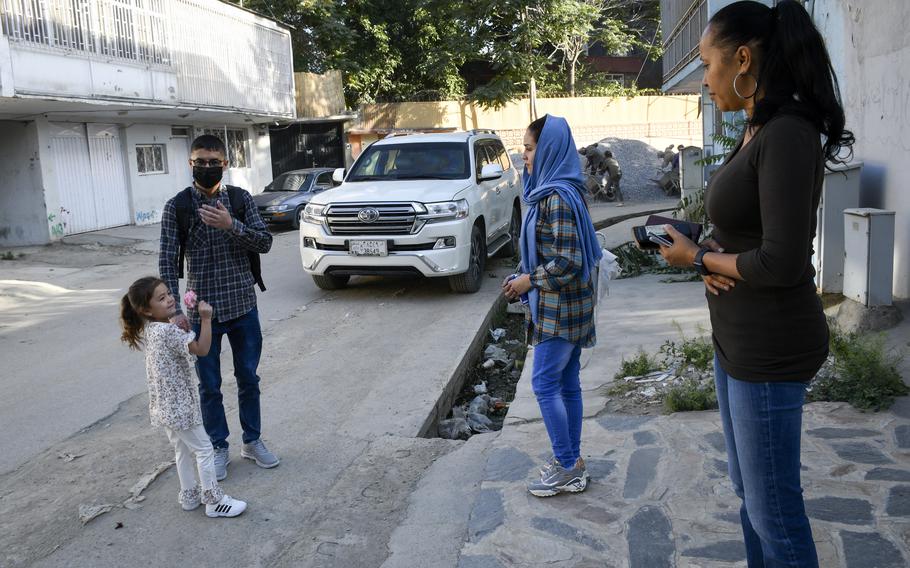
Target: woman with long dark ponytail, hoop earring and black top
(769,330)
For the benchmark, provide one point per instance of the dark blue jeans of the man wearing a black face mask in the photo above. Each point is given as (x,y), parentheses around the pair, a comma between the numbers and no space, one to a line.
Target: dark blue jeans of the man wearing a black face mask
(245,337)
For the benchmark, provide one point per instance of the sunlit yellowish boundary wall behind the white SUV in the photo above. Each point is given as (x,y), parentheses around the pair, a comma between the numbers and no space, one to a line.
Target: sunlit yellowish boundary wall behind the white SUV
(658,121)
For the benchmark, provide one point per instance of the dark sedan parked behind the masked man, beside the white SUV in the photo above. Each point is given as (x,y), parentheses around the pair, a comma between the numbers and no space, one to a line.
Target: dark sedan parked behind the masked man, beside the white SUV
(283,200)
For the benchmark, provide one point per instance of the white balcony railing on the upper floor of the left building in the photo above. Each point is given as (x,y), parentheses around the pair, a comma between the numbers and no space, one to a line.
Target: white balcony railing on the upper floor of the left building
(123,29)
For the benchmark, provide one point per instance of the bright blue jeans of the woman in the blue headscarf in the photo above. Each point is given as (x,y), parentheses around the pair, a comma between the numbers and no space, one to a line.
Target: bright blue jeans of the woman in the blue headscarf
(557,386)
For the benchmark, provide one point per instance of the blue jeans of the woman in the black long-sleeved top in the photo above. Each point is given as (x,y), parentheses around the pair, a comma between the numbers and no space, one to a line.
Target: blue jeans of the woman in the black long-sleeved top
(762,428)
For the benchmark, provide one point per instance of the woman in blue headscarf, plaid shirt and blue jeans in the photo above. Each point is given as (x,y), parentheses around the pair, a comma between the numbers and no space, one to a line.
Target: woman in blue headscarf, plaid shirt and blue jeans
(559,252)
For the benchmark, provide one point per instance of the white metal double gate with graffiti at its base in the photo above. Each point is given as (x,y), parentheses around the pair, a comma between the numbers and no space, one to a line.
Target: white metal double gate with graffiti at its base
(91,177)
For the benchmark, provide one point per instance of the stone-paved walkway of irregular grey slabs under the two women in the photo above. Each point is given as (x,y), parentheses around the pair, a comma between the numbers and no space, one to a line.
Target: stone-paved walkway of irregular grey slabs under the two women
(660,495)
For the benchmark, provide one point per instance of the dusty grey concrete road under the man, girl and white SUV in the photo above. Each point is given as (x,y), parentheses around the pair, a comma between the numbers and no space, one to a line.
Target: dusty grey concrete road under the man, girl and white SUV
(349,378)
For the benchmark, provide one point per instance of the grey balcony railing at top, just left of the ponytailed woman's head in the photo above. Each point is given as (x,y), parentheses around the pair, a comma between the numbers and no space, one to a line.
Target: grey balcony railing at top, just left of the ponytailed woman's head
(685,21)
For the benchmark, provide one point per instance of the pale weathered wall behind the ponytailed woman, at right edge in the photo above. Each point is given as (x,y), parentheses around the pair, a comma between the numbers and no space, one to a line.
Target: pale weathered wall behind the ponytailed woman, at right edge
(870,51)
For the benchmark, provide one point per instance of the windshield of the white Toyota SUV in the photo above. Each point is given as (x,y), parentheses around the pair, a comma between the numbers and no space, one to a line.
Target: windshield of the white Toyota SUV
(436,160)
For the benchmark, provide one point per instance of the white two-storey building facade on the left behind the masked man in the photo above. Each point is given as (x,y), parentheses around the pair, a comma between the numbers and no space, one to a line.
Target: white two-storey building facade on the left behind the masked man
(100,99)
